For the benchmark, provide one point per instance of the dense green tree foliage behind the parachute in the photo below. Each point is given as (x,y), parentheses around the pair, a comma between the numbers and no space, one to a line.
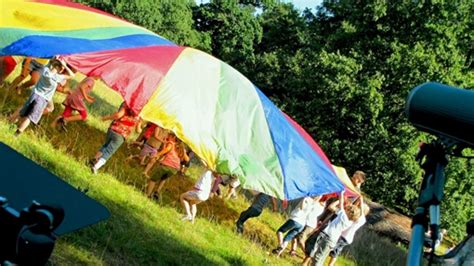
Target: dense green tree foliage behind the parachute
(343,72)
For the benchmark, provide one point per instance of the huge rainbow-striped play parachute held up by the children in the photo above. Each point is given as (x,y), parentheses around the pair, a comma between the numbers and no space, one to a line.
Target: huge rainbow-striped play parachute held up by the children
(219,113)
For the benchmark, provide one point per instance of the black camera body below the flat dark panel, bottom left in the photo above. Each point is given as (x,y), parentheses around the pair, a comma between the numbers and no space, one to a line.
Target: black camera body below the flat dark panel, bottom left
(27,236)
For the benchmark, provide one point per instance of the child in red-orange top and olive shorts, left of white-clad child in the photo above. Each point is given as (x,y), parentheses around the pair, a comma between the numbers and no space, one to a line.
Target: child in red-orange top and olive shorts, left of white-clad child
(170,164)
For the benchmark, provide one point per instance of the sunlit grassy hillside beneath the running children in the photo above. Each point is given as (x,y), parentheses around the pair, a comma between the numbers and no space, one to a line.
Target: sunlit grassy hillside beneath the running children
(145,232)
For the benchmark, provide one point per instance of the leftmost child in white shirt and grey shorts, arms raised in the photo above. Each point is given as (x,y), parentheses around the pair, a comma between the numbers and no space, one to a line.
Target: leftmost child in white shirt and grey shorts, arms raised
(42,94)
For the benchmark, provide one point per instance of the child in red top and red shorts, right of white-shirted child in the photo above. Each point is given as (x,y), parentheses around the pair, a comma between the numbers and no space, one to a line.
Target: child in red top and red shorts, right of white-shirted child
(75,102)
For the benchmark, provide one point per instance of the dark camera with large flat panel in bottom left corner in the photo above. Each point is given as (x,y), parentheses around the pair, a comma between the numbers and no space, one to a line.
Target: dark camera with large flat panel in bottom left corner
(56,208)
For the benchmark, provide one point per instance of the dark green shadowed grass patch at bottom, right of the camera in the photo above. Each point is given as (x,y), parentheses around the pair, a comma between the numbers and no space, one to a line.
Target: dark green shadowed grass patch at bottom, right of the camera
(125,239)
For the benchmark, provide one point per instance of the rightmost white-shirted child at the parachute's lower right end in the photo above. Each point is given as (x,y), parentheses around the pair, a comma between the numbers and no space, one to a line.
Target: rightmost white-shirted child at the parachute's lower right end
(347,235)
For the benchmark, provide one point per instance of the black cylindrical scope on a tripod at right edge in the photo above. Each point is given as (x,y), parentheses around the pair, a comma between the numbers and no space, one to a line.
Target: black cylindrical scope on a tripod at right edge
(447,113)
